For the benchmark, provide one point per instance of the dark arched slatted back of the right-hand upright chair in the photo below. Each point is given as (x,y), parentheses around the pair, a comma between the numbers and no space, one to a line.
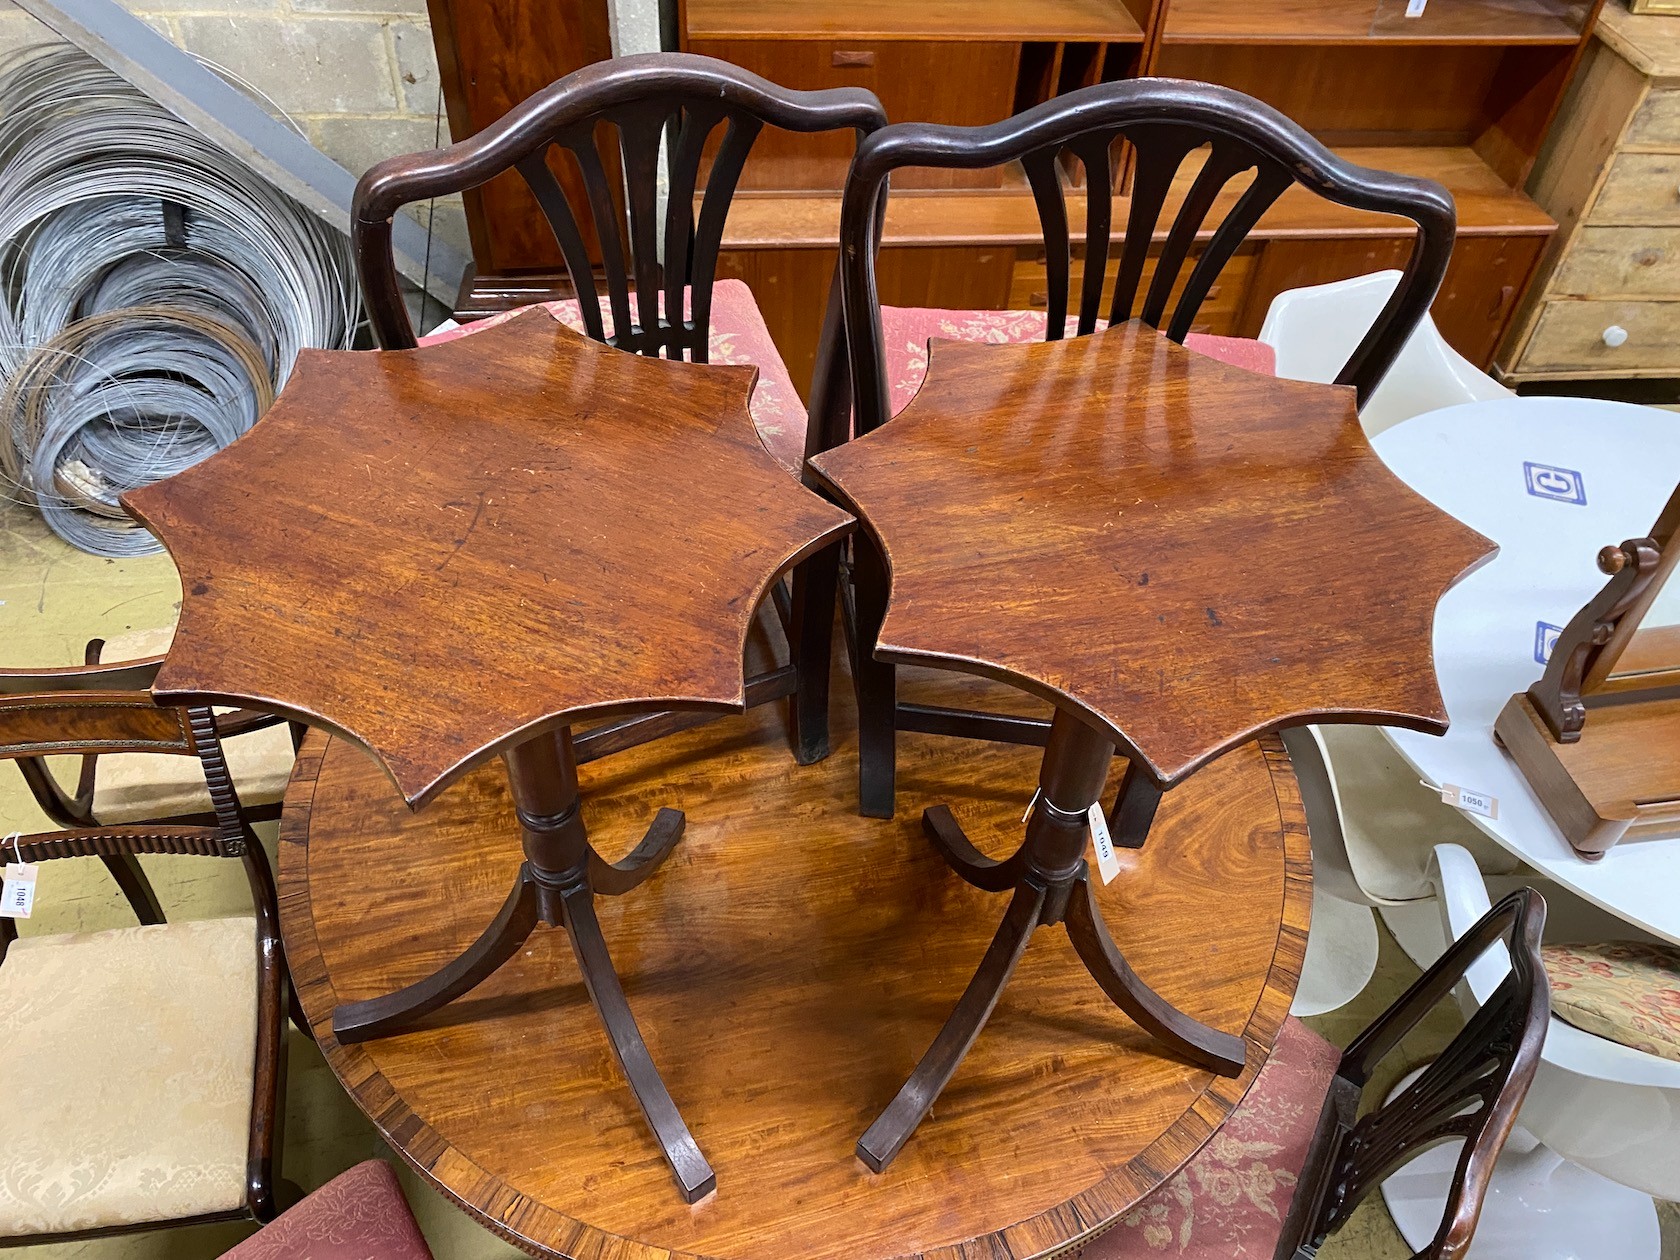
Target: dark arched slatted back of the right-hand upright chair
(1173,127)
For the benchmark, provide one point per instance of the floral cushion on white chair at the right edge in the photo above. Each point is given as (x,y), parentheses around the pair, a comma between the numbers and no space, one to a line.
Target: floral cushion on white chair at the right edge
(1627,992)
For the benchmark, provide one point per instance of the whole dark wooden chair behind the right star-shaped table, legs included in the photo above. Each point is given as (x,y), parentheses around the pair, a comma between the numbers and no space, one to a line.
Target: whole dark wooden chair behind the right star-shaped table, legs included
(1197,145)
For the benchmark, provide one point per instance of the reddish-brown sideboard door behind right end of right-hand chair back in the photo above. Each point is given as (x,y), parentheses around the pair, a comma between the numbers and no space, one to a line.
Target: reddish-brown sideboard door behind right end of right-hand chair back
(1478,298)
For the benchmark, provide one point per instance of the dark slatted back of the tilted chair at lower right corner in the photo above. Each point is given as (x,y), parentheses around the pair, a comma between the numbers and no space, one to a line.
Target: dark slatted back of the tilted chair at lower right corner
(1471,1093)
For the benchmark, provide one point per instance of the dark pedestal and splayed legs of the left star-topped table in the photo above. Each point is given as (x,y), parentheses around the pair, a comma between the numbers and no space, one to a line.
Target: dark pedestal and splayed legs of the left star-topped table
(557,886)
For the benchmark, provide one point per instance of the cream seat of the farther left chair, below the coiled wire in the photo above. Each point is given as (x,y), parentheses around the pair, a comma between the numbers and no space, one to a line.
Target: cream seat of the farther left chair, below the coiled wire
(139,787)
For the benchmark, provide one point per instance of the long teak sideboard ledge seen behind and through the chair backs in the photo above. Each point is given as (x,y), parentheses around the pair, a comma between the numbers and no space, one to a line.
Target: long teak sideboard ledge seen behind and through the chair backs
(1009,216)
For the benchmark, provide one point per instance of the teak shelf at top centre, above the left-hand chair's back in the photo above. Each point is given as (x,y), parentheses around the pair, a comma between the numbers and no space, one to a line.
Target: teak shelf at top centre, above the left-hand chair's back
(987,21)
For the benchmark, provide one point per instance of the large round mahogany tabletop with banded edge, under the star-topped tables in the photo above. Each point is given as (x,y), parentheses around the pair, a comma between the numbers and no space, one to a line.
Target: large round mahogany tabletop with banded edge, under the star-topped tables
(789,965)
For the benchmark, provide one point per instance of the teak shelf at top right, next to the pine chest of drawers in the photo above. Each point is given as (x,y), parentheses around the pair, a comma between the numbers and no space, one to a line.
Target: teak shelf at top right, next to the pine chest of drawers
(1498,23)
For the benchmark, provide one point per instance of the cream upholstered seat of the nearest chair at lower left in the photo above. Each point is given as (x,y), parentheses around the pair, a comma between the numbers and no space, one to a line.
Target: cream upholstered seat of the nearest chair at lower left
(130,1066)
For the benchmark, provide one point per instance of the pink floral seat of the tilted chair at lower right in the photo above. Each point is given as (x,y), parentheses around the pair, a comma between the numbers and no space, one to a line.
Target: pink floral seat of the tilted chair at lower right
(1229,1204)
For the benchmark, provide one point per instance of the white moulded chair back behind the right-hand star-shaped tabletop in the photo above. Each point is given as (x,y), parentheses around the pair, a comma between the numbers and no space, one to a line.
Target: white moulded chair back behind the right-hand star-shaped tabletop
(1313,332)
